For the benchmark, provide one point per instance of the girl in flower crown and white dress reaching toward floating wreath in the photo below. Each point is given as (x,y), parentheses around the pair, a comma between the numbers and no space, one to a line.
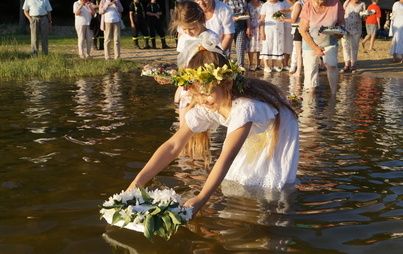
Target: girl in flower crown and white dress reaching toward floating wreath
(261,144)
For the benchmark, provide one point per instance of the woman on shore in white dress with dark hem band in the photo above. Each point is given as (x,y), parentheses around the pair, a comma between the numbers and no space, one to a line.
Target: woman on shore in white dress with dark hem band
(272,35)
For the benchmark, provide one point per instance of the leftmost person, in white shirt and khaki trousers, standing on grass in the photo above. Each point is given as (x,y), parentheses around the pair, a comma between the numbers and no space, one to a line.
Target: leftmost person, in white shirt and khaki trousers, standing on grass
(39,14)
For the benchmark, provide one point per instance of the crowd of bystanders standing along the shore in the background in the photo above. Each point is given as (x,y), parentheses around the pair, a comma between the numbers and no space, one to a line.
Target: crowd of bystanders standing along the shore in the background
(271,43)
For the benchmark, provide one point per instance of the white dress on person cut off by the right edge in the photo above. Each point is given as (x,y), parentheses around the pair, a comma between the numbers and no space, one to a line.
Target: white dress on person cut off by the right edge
(397,28)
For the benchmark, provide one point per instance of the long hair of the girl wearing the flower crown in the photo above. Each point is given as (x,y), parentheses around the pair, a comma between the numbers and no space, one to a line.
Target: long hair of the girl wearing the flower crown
(199,144)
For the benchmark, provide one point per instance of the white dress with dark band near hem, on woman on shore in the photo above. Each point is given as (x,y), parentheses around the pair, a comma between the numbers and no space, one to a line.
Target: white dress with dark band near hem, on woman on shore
(273,46)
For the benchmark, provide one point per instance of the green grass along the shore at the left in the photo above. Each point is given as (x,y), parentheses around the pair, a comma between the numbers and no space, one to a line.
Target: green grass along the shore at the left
(61,62)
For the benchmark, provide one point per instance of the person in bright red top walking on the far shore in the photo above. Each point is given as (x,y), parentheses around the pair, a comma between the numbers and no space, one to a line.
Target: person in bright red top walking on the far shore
(372,24)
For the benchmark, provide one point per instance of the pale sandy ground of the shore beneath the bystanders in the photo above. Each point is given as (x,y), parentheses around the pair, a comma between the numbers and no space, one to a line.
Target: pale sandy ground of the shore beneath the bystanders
(376,63)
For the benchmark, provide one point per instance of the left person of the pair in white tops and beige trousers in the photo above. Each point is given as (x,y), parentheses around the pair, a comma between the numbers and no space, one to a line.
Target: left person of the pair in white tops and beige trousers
(83,11)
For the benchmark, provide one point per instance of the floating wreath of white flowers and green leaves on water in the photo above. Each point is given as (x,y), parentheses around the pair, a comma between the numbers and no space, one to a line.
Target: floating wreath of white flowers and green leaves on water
(157,212)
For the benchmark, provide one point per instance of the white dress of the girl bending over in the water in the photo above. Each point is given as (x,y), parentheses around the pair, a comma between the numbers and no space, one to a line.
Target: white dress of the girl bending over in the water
(252,166)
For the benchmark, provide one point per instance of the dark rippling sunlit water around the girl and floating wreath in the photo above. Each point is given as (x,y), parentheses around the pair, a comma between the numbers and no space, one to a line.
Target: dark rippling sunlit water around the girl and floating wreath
(66,146)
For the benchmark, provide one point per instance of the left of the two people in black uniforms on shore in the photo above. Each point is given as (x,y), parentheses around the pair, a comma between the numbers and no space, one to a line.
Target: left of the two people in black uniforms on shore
(138,23)
